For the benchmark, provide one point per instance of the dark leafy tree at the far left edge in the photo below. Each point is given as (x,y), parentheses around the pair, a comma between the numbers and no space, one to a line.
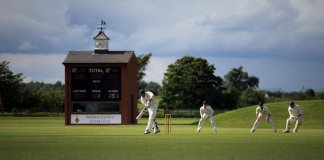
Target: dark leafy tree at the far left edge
(10,86)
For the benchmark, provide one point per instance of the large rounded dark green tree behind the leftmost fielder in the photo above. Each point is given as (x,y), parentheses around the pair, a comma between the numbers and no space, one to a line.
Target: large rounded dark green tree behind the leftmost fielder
(188,82)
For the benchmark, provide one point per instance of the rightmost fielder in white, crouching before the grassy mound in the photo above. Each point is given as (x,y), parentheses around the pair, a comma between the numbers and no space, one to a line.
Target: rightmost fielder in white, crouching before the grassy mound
(295,114)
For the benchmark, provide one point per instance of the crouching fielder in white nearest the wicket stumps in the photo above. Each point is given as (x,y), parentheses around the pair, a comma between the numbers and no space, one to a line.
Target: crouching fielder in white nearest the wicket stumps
(206,112)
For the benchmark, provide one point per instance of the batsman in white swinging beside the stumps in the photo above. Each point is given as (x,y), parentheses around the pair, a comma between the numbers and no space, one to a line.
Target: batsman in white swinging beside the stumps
(147,98)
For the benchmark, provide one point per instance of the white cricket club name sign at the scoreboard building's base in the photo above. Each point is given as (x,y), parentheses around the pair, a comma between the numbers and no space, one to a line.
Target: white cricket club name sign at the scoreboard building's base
(95,118)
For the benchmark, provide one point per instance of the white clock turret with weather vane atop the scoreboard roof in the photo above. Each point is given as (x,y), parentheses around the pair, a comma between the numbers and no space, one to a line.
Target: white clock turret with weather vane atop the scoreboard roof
(101,40)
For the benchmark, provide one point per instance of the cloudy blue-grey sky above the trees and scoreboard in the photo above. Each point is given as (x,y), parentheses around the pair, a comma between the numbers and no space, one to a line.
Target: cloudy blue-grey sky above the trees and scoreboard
(279,41)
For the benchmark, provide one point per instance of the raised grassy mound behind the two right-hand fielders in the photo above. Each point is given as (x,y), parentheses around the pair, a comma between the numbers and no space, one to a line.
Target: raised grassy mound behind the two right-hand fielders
(245,117)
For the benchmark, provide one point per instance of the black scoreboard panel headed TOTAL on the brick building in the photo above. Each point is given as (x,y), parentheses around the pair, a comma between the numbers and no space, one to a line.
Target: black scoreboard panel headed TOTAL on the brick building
(96,84)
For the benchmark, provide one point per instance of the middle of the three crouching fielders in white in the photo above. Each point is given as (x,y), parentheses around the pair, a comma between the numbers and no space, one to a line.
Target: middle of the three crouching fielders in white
(262,111)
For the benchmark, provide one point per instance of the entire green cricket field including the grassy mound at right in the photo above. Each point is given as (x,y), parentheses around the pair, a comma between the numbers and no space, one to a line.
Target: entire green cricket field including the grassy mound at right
(48,138)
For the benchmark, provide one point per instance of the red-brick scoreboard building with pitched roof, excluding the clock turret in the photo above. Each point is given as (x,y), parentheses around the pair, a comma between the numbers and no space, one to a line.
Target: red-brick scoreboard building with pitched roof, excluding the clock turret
(100,88)
